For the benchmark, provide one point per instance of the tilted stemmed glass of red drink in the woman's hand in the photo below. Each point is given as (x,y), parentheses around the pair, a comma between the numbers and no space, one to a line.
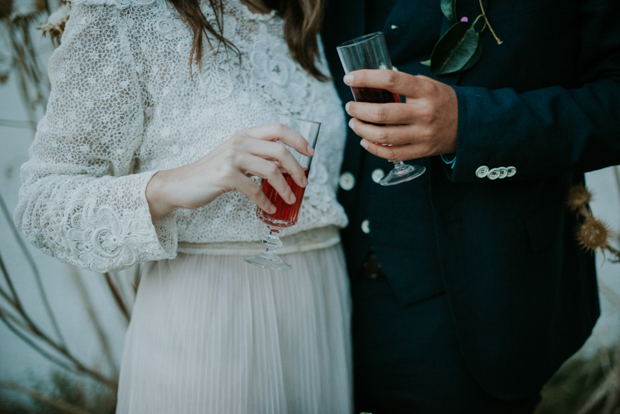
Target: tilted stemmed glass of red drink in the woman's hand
(286,214)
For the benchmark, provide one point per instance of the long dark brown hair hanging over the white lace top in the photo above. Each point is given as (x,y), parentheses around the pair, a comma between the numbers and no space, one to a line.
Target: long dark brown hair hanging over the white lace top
(302,20)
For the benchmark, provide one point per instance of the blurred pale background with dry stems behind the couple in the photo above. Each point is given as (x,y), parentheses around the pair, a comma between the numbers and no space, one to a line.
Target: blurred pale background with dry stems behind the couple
(62,328)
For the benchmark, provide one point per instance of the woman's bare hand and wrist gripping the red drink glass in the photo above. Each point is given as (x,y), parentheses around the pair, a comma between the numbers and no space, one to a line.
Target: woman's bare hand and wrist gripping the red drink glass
(252,152)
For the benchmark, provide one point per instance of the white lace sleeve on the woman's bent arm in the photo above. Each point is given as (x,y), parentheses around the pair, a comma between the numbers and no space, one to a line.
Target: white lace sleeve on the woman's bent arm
(78,200)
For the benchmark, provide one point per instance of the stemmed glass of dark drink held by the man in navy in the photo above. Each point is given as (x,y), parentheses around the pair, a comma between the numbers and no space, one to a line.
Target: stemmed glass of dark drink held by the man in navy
(370,52)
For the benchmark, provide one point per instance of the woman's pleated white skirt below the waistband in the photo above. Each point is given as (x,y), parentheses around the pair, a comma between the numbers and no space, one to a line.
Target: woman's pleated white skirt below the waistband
(213,334)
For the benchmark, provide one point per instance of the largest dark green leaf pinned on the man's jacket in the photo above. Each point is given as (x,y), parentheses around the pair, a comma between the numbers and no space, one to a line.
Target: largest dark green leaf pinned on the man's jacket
(454,49)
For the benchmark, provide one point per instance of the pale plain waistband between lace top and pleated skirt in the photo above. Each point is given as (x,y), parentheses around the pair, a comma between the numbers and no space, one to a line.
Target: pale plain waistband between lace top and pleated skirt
(303,241)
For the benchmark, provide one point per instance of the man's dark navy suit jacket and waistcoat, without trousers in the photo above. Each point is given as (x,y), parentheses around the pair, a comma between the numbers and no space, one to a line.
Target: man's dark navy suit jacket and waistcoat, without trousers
(547,101)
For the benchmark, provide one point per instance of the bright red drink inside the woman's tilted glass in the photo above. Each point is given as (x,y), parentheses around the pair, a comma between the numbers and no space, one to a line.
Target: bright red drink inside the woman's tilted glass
(286,214)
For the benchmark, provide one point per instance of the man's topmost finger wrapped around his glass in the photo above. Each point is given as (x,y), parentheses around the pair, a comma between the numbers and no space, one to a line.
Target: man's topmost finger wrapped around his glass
(393,81)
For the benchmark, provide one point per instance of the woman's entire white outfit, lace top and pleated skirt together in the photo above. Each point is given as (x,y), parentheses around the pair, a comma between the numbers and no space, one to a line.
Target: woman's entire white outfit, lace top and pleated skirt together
(209,332)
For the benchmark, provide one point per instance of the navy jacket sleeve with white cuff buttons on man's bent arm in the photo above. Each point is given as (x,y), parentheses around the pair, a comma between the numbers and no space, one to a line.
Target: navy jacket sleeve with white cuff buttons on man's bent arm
(550,130)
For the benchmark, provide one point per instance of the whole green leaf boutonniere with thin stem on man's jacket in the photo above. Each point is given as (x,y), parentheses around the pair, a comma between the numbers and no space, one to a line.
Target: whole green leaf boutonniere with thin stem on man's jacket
(461,46)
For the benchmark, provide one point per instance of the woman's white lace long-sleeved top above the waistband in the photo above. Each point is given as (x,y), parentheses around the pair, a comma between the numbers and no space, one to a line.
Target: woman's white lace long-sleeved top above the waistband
(124,105)
